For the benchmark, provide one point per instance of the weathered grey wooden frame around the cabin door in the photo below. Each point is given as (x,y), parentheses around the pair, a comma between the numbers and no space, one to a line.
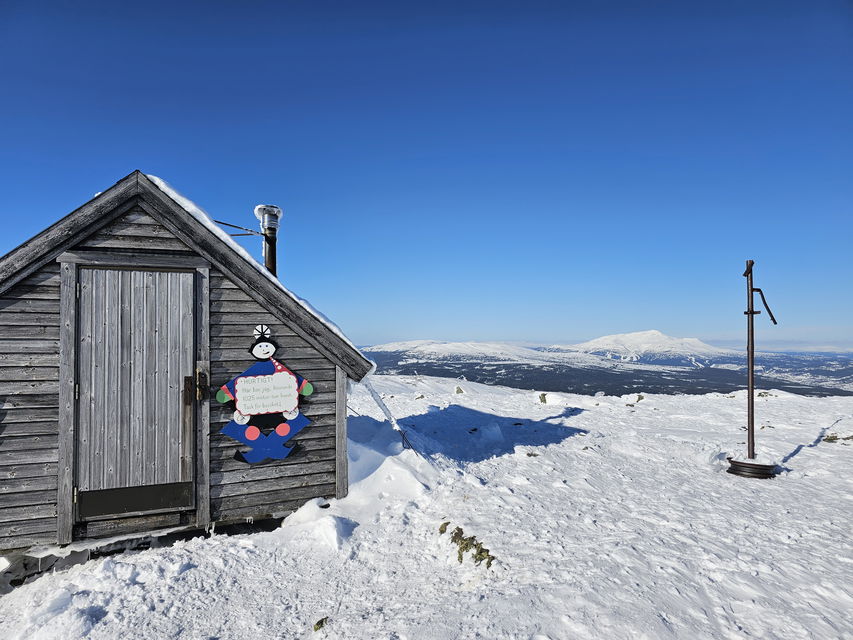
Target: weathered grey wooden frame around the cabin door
(70,262)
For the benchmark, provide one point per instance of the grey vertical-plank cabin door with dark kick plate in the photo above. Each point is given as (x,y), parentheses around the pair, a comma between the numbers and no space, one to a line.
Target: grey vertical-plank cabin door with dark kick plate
(135,413)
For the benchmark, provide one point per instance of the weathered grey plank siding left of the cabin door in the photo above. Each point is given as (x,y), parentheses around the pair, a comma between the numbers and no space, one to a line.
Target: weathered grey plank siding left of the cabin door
(29,405)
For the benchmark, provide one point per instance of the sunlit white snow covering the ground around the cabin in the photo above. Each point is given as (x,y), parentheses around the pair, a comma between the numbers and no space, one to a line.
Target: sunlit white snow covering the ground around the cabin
(609,517)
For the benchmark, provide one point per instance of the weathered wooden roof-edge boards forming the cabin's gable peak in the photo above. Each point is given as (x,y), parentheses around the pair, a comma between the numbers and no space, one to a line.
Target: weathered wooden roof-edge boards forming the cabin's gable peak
(137,190)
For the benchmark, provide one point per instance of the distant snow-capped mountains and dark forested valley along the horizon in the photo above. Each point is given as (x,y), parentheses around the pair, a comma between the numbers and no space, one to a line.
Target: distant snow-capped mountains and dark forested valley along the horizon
(624,363)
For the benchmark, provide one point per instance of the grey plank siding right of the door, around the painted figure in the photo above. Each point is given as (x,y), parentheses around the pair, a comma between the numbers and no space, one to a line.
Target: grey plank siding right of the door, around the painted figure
(239,490)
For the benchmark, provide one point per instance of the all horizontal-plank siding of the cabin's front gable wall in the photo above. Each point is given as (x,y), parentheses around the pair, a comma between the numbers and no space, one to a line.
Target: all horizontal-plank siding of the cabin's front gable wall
(29,402)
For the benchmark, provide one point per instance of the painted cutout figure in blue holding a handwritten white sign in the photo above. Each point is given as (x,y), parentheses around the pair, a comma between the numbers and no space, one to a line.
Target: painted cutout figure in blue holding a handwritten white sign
(265,398)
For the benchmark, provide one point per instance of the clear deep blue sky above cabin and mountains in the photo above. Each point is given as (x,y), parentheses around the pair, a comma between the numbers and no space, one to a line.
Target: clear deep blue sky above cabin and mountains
(540,171)
